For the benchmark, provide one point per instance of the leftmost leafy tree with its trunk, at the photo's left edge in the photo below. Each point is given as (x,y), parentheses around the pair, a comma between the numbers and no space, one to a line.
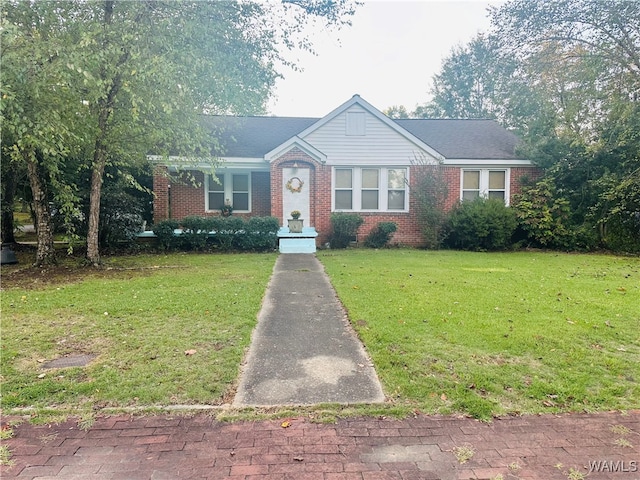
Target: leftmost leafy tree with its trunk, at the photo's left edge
(39,111)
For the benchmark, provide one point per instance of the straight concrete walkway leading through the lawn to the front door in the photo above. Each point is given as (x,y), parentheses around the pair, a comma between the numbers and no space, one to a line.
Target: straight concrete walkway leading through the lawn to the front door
(303,350)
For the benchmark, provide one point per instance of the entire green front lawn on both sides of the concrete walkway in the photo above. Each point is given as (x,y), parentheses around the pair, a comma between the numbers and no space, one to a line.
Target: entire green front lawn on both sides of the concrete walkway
(476,333)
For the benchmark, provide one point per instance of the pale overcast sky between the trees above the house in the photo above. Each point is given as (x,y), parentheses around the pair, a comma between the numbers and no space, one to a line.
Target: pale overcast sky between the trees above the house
(388,56)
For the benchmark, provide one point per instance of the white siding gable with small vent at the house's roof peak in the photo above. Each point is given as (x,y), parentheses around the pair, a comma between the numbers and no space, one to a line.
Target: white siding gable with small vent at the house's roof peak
(355,136)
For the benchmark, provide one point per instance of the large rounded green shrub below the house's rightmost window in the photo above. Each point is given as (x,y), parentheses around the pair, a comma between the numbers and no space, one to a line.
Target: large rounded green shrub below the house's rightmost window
(483,224)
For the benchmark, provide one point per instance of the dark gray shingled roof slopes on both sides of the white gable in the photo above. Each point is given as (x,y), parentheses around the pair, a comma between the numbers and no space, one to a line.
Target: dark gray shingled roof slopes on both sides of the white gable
(253,137)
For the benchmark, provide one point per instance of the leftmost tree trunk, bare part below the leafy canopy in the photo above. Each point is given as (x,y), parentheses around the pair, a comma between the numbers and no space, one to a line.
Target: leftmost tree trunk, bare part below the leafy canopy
(45,253)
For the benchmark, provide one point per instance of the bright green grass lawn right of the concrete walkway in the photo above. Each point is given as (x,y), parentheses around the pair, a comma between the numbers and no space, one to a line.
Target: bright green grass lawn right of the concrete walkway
(496,333)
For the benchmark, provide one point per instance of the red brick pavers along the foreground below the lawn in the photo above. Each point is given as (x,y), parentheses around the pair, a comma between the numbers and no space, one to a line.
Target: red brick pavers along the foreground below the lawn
(546,447)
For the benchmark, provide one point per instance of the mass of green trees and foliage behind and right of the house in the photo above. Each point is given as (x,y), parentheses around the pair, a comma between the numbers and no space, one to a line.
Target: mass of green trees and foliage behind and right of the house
(564,75)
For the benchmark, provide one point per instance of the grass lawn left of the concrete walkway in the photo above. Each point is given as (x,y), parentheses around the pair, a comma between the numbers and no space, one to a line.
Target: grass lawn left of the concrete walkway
(139,318)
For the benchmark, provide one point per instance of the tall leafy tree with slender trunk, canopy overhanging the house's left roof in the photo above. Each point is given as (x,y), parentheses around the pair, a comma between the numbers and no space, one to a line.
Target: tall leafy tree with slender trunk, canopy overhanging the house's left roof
(146,70)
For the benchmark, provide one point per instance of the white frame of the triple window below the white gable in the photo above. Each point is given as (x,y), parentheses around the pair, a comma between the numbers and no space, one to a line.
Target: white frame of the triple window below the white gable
(383,189)
